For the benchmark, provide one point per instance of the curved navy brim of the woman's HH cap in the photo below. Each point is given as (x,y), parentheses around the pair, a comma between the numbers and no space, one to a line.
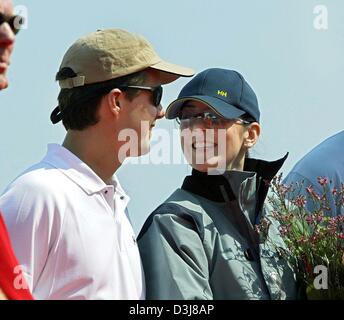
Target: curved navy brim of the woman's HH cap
(220,107)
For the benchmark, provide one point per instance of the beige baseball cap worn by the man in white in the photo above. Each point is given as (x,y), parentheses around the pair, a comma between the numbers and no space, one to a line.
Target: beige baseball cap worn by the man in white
(113,53)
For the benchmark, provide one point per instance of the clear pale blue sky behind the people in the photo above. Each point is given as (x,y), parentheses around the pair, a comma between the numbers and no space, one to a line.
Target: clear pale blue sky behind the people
(296,70)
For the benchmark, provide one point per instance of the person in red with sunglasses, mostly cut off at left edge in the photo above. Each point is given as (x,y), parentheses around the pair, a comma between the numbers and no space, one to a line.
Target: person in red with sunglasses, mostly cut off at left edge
(9,266)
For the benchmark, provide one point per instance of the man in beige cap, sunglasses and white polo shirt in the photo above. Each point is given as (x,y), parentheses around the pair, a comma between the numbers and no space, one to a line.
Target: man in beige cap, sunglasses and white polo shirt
(67,214)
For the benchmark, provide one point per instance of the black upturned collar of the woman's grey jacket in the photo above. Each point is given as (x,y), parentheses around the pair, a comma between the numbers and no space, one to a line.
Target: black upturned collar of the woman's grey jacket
(236,185)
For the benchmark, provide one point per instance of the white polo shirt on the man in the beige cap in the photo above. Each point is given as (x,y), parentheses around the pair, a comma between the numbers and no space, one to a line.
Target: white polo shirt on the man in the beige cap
(70,232)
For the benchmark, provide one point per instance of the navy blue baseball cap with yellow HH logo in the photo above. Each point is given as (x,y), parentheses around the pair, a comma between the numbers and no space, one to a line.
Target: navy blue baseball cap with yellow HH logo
(224,91)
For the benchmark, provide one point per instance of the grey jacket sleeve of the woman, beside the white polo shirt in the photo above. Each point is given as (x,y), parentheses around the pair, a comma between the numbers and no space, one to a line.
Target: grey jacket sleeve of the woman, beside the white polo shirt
(174,260)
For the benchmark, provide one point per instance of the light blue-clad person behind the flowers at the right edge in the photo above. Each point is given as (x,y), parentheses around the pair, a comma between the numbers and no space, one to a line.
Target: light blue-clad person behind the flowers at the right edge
(323,169)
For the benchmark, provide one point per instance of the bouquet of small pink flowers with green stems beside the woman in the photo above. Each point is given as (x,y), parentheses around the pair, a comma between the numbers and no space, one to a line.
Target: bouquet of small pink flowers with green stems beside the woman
(314,238)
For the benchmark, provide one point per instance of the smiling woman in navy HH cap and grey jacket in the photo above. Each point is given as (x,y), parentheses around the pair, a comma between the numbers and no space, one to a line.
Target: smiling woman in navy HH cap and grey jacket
(202,243)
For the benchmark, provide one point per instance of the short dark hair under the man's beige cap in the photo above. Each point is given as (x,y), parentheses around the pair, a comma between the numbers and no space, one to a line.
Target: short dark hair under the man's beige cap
(80,105)
